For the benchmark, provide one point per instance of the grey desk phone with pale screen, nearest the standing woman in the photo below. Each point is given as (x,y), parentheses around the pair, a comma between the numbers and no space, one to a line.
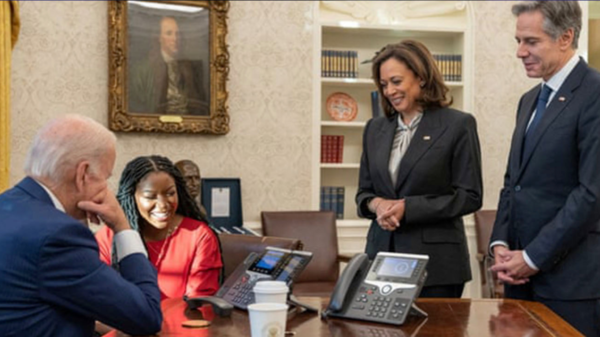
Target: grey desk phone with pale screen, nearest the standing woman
(382,291)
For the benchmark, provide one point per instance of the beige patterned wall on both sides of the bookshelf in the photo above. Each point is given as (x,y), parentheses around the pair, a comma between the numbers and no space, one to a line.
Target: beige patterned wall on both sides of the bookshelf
(60,66)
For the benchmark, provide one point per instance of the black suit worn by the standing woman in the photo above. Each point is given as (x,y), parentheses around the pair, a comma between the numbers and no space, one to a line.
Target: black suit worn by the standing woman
(440,180)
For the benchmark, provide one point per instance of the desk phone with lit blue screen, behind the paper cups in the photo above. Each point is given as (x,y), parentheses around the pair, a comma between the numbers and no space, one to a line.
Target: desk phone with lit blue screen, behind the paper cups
(275,264)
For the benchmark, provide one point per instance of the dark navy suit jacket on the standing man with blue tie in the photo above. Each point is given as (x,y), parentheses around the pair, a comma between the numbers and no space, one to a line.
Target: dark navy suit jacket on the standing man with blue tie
(550,202)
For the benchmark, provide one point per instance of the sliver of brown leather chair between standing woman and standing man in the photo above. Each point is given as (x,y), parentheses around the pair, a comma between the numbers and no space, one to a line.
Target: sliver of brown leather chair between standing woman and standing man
(484,223)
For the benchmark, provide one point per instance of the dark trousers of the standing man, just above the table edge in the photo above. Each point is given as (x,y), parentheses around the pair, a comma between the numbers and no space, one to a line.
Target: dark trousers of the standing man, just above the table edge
(583,315)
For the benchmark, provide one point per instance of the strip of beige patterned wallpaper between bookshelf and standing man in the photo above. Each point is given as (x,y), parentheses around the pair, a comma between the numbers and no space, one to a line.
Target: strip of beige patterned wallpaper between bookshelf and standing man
(500,81)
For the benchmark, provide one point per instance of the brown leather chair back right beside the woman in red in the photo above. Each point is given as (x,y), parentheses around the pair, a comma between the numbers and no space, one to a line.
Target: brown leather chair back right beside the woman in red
(236,247)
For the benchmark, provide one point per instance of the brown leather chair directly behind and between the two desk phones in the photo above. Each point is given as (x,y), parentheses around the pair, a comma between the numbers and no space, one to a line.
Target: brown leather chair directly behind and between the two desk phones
(318,232)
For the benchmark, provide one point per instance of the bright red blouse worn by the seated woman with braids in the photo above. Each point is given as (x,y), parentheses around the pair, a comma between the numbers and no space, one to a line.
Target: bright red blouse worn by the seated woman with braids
(190,261)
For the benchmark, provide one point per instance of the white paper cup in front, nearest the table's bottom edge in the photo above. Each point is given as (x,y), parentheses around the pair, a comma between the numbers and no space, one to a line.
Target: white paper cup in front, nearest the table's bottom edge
(267,319)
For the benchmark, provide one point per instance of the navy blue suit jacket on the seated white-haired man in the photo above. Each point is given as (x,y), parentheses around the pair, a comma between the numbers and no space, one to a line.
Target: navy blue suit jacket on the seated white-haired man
(51,278)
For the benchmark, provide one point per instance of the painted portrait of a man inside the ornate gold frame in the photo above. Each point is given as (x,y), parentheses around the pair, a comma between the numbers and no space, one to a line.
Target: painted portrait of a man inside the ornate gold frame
(168,70)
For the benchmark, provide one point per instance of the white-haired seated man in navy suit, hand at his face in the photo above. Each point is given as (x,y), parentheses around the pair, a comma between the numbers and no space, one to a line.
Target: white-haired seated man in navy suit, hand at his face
(53,282)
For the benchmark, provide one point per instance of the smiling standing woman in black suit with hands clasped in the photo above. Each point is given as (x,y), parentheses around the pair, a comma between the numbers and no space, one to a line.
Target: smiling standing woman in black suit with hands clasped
(420,170)
